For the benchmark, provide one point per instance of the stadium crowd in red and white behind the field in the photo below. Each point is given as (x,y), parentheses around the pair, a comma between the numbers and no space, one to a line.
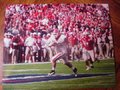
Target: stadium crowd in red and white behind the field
(29,27)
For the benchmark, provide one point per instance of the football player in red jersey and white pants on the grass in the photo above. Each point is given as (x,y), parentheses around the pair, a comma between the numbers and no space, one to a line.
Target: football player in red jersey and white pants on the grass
(88,50)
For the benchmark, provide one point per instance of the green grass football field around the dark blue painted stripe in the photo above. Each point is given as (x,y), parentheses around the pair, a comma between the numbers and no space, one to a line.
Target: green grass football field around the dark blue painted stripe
(103,67)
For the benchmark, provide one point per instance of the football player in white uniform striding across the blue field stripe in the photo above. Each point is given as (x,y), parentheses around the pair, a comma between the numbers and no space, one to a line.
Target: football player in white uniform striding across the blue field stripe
(59,42)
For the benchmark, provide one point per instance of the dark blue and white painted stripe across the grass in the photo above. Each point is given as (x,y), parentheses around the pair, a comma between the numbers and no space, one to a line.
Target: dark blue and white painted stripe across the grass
(29,78)
